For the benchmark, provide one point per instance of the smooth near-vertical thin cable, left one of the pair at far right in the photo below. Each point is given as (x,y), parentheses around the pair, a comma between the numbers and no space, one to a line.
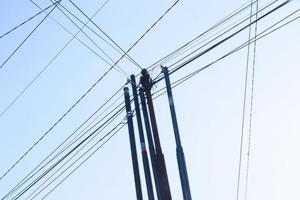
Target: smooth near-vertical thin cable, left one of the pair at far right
(244,108)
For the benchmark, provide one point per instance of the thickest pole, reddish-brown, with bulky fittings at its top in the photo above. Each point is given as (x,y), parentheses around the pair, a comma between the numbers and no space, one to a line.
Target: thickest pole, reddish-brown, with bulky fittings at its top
(161,166)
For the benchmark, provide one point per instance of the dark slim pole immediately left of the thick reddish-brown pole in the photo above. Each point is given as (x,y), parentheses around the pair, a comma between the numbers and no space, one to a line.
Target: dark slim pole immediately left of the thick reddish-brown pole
(150,142)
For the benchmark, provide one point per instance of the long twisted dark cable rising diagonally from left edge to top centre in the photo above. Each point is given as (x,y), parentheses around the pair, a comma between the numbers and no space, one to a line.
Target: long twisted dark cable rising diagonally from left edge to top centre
(88,91)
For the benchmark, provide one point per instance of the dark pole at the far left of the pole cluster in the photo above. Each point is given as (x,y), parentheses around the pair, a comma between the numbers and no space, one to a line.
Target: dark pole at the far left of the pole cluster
(135,164)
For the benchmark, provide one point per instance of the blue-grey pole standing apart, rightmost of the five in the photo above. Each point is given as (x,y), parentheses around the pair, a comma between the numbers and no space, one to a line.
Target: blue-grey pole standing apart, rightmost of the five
(179,150)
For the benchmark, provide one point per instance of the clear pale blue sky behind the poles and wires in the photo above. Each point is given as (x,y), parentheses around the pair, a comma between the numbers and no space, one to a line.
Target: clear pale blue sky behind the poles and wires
(209,106)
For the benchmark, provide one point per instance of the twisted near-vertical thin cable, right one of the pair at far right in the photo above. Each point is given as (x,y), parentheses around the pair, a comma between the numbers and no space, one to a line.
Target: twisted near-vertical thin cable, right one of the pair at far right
(251,109)
